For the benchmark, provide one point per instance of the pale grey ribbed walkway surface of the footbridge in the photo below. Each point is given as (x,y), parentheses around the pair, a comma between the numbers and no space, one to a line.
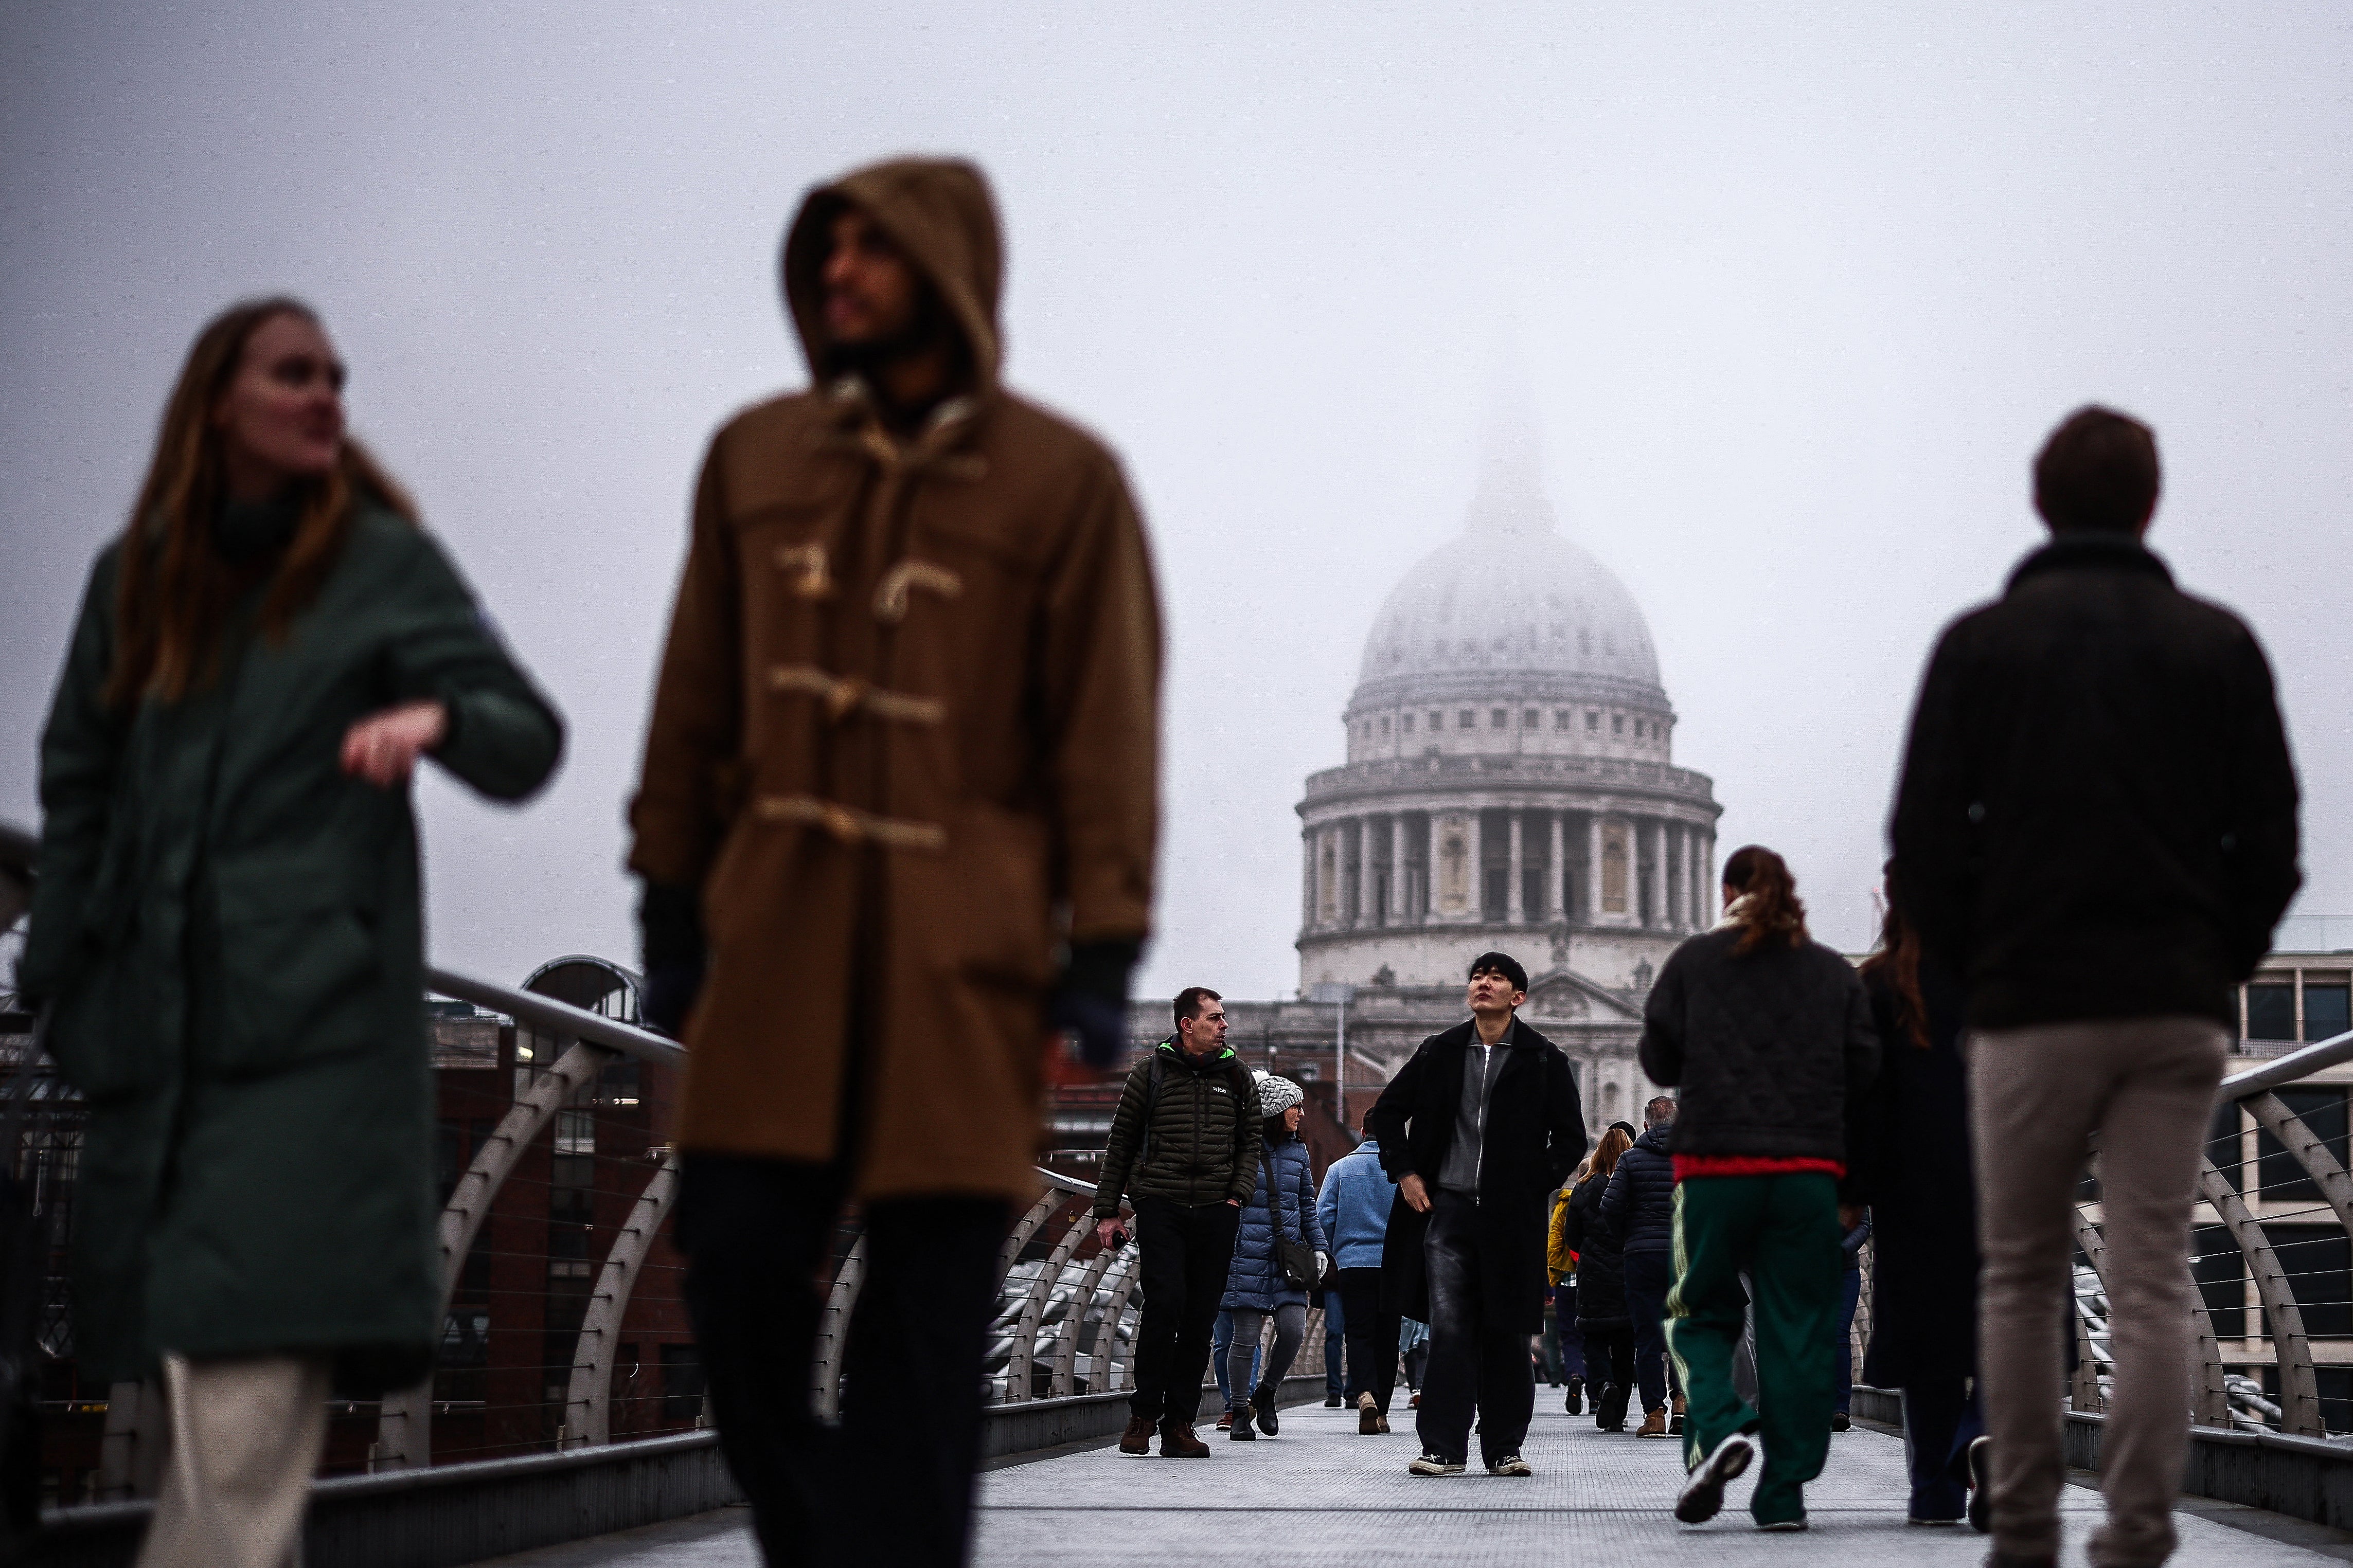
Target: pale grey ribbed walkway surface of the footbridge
(1321,1496)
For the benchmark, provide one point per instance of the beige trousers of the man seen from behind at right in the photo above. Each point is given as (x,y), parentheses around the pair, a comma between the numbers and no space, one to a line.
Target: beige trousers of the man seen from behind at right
(2037,1097)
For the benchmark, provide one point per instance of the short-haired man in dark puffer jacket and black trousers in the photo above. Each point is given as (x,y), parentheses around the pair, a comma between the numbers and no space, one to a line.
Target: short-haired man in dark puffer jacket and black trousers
(1185,1148)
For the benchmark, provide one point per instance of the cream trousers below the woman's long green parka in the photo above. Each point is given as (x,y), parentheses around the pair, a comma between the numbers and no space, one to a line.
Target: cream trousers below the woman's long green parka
(246,1435)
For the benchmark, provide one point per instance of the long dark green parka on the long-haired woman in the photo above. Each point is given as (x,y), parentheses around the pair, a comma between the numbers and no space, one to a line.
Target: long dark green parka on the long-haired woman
(232,934)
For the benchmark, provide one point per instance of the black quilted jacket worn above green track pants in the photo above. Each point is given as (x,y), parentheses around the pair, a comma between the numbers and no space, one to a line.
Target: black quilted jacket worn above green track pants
(1771,1050)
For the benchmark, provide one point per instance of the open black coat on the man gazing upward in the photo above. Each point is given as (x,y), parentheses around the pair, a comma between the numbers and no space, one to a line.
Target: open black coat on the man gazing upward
(1533,1144)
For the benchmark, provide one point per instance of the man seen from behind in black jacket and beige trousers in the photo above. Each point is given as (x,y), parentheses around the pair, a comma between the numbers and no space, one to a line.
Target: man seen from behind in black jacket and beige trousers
(2098,831)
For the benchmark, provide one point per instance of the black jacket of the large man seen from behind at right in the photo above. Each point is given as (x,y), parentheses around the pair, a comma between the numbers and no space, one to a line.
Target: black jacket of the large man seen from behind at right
(2098,815)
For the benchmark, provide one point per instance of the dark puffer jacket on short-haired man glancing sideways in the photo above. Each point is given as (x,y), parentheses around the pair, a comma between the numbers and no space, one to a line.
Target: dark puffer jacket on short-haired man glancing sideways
(1204,1123)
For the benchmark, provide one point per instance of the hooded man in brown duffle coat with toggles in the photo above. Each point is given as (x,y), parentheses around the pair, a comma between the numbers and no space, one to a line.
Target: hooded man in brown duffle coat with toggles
(895,824)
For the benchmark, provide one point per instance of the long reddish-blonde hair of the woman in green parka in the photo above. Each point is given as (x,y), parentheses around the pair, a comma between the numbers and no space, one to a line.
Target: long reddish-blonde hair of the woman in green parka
(173,589)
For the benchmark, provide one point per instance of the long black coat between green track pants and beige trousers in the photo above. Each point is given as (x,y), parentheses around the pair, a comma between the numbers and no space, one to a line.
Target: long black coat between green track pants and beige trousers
(1912,1167)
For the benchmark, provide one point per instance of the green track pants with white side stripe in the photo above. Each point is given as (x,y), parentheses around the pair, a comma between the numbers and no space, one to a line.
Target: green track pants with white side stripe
(1780,1231)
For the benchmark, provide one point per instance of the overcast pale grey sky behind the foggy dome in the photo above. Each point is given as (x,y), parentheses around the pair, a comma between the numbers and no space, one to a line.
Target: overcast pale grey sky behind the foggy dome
(1797,288)
